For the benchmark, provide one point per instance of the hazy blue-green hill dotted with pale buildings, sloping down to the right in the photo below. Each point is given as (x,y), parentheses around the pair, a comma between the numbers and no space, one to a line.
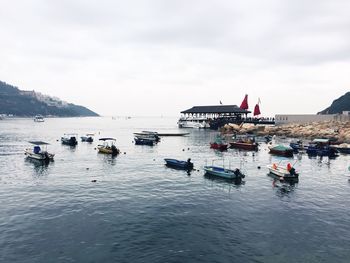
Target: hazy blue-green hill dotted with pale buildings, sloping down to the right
(30,103)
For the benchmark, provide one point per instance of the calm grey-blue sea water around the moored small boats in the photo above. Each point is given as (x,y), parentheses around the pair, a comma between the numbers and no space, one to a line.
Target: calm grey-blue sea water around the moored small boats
(90,207)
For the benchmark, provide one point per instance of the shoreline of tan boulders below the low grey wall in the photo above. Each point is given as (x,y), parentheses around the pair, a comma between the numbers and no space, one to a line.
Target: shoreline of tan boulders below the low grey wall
(336,130)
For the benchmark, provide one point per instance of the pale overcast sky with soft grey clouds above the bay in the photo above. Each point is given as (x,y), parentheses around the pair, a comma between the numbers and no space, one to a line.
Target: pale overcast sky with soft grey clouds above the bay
(157,57)
